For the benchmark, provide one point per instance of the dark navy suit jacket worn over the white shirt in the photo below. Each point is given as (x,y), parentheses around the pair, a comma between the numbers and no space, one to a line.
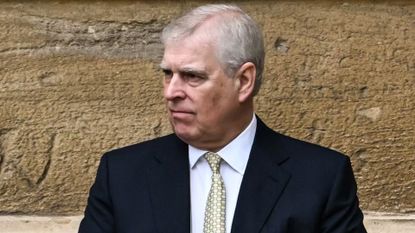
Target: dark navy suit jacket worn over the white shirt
(289,186)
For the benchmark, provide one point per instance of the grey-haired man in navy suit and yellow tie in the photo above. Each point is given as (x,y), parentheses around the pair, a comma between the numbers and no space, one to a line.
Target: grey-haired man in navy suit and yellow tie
(222,170)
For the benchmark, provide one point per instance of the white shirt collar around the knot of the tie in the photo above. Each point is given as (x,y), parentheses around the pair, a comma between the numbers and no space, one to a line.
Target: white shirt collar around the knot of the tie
(234,153)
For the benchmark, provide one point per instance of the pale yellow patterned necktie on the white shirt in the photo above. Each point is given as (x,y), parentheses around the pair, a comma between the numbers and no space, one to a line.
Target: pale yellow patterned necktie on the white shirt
(215,206)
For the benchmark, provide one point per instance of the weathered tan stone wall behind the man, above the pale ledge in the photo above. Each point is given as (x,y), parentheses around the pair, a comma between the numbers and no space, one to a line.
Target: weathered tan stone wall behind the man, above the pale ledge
(79,78)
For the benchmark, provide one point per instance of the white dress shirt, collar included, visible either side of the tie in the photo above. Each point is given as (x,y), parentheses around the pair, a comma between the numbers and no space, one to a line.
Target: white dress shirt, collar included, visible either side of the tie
(235,156)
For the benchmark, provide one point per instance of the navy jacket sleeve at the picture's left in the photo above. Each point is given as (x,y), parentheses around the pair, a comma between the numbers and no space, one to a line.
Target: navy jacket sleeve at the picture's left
(98,216)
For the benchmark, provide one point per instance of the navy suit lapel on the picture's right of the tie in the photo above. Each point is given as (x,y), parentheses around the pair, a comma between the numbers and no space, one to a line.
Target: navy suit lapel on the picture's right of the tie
(263,182)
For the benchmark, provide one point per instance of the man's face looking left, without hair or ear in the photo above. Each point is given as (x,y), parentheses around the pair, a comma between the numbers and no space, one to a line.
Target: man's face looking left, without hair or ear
(202,101)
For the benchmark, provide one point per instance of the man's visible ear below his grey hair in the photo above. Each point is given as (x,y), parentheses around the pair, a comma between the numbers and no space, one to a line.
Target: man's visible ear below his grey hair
(246,77)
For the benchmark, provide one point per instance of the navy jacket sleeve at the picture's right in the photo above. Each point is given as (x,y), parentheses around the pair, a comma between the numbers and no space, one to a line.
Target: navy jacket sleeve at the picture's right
(342,213)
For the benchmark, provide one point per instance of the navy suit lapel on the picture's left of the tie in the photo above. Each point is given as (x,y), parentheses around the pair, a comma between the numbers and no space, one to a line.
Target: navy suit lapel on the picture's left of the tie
(169,187)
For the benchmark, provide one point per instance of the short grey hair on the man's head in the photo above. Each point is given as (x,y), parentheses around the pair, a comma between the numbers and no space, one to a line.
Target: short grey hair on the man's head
(238,38)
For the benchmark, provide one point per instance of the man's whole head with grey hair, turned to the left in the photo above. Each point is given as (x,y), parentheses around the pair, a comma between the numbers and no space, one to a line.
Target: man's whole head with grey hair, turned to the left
(213,62)
